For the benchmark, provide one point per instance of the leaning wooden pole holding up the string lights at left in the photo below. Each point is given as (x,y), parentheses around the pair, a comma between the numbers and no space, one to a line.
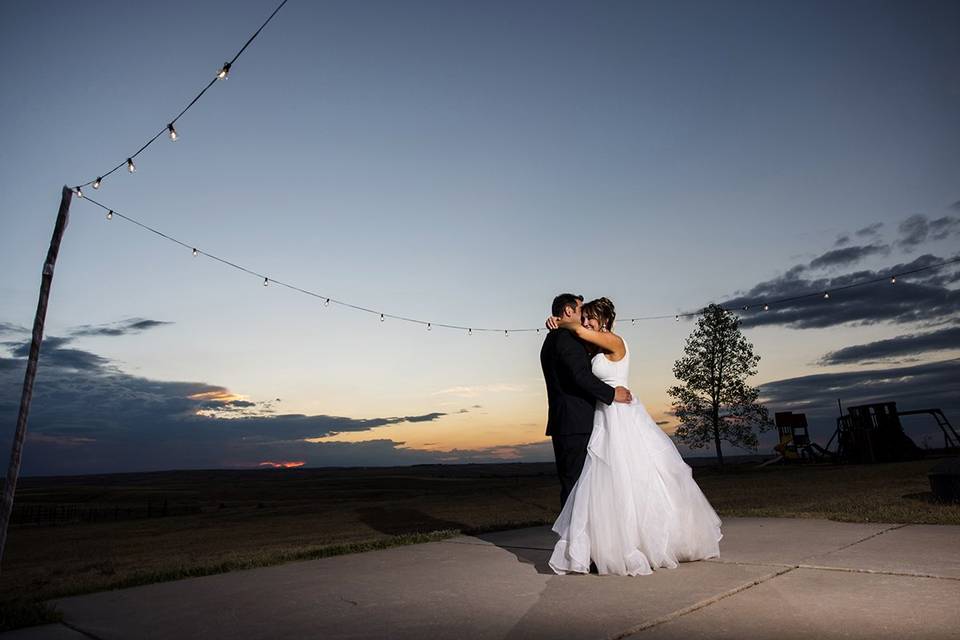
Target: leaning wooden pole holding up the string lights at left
(13,471)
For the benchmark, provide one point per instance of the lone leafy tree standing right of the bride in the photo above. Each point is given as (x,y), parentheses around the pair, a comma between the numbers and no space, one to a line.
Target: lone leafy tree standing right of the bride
(713,401)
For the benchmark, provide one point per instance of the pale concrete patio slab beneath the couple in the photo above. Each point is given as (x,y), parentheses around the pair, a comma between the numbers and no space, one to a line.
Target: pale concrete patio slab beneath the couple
(775,577)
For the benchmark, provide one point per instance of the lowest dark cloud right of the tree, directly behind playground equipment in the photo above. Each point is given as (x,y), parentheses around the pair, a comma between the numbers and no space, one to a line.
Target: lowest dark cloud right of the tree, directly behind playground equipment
(924,386)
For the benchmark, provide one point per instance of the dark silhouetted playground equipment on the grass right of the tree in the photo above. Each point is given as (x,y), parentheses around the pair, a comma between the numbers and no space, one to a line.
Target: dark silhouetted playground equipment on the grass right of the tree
(868,433)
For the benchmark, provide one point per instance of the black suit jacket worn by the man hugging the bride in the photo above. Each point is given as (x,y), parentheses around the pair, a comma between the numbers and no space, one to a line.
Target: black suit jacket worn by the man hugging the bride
(572,389)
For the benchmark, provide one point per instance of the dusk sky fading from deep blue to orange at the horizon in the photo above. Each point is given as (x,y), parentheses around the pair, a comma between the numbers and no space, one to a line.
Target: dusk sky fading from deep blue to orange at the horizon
(463,163)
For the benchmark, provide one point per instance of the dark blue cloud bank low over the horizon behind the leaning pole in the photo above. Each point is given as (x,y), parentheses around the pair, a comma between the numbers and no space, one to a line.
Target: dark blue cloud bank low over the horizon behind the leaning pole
(88,416)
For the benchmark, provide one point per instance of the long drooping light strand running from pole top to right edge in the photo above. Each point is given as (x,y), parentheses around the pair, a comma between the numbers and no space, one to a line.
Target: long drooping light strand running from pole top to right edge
(765,305)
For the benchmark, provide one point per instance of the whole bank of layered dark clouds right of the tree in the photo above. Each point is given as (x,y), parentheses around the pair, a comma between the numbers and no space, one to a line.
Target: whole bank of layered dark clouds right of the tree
(926,303)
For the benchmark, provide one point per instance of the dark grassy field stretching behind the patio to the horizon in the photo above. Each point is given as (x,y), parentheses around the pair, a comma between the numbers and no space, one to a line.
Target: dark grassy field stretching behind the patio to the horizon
(243,519)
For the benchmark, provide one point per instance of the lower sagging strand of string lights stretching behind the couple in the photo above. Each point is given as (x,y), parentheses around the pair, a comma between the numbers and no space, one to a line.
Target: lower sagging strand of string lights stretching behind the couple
(327,300)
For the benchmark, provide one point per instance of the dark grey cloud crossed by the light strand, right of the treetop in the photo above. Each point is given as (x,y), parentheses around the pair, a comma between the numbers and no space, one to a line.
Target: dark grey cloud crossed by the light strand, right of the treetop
(922,297)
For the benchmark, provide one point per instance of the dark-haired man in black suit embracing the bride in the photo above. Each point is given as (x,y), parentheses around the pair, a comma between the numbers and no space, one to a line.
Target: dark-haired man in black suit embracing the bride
(572,393)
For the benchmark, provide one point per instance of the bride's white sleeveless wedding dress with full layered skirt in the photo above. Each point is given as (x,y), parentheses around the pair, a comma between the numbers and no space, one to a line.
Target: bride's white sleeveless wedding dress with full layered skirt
(635,507)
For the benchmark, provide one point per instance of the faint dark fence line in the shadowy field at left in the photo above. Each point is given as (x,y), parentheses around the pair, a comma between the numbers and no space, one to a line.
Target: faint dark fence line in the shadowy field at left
(52,514)
